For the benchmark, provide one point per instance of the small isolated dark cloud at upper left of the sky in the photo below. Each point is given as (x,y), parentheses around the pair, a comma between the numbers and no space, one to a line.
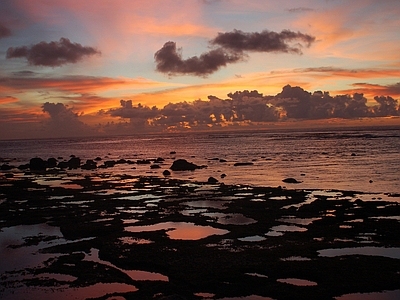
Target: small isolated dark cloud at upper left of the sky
(52,54)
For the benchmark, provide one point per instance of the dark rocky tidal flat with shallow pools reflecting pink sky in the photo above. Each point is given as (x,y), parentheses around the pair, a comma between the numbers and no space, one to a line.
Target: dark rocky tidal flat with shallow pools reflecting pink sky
(105,236)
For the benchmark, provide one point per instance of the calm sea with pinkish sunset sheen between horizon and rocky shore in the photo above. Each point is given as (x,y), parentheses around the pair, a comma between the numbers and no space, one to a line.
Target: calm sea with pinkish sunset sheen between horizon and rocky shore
(364,159)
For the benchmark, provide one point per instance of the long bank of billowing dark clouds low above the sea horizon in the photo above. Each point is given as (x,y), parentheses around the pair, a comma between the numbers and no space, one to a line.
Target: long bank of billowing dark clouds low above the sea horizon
(251,108)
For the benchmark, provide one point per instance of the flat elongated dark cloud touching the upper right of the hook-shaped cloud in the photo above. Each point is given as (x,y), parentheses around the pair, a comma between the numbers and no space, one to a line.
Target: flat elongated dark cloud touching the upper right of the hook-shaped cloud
(265,41)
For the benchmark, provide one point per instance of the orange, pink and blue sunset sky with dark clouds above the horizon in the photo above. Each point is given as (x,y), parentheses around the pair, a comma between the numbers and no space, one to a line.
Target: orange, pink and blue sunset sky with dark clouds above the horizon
(96,67)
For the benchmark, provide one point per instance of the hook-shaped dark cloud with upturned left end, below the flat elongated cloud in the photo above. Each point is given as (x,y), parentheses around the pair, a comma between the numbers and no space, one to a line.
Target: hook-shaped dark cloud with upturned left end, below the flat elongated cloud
(169,60)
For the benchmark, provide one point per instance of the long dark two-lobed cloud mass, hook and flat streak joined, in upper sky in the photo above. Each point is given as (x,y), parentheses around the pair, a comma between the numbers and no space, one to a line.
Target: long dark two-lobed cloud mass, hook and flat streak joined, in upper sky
(231,47)
